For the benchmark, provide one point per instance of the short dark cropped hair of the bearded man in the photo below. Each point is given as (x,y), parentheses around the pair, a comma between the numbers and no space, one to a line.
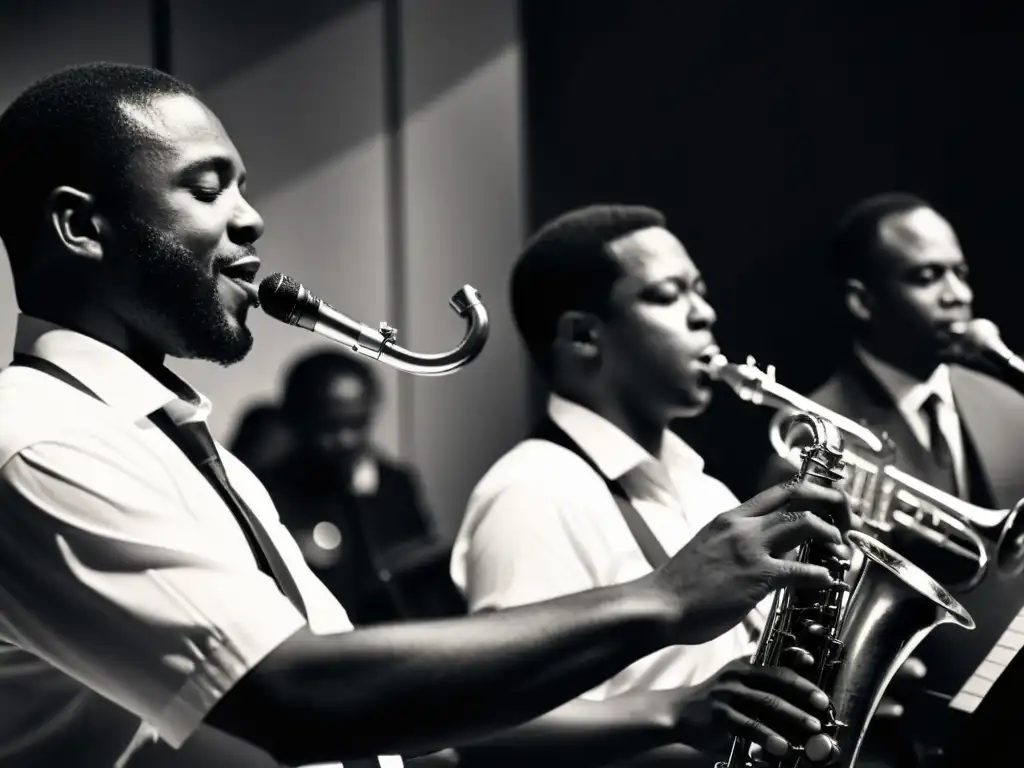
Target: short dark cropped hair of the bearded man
(70,130)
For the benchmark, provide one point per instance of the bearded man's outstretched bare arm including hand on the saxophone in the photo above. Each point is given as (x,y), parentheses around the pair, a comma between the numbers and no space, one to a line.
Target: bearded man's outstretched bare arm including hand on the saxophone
(417,688)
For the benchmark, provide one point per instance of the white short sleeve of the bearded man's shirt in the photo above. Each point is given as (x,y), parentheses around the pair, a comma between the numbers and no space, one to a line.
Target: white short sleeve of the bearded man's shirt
(109,575)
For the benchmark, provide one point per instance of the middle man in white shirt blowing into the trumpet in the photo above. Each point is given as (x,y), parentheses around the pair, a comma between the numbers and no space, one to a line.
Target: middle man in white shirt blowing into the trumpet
(616,316)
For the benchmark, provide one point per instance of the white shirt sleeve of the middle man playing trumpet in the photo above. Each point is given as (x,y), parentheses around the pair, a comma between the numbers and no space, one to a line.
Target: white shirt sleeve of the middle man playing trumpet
(525,548)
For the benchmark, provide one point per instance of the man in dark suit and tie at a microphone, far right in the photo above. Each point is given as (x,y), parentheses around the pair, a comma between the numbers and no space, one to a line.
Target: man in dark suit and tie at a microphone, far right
(905,282)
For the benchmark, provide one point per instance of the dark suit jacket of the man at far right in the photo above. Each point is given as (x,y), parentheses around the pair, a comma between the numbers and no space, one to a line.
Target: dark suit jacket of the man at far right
(993,420)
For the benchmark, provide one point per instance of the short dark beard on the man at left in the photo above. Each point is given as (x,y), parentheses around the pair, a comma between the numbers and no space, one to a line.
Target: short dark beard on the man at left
(176,304)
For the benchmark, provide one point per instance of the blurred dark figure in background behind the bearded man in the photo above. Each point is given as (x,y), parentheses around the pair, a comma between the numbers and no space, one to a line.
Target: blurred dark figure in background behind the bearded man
(359,518)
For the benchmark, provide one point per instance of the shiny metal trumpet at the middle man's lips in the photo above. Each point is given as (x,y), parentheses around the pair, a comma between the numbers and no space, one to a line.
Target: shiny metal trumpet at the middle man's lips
(894,504)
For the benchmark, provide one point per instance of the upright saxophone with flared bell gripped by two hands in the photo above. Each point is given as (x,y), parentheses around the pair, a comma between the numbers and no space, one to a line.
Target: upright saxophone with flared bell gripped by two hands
(849,643)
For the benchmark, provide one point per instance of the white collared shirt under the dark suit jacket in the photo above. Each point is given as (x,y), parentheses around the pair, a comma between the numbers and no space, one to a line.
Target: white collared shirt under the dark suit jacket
(910,396)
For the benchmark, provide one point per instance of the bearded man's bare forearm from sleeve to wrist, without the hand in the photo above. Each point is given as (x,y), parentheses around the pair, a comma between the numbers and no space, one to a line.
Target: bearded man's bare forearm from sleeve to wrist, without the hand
(415,688)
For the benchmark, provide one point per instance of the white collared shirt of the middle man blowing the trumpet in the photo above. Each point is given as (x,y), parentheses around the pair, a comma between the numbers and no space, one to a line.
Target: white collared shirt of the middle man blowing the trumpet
(542,525)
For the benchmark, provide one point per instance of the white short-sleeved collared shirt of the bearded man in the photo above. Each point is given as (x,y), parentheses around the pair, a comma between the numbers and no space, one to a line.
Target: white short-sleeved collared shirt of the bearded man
(120,566)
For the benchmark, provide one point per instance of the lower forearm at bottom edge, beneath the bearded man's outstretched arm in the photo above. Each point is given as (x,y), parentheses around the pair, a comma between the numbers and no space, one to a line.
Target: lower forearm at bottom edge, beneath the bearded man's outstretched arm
(582,734)
